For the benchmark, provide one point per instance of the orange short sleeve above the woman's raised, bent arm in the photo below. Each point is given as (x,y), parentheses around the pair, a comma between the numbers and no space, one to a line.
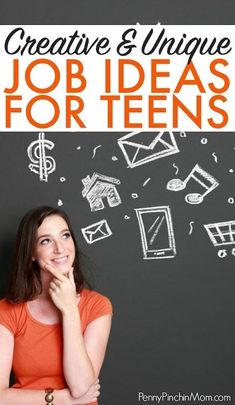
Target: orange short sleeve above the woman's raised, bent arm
(100,305)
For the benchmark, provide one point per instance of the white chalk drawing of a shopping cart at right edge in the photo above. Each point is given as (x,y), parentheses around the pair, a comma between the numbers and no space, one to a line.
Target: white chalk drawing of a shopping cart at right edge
(221,234)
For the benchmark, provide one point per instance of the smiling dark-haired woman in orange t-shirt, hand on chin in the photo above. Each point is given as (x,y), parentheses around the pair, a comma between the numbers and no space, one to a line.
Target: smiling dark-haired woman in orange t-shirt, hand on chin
(53,330)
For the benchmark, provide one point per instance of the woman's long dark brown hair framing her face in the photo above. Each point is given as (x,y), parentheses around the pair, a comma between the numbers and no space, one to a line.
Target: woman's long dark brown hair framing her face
(25,282)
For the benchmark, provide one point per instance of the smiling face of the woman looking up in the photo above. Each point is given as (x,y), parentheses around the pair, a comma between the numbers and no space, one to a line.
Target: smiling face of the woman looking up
(54,244)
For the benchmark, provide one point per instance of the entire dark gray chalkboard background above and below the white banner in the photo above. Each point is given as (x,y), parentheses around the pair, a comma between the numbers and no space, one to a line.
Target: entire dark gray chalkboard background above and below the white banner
(173,326)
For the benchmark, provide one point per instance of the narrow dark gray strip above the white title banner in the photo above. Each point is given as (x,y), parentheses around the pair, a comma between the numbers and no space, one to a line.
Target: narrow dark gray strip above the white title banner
(117,12)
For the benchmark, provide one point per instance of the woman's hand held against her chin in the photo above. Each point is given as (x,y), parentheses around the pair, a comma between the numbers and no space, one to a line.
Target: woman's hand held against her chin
(62,290)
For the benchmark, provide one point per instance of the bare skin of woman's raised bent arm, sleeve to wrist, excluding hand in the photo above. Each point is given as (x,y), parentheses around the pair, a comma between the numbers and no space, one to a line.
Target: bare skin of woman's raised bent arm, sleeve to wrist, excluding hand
(83,356)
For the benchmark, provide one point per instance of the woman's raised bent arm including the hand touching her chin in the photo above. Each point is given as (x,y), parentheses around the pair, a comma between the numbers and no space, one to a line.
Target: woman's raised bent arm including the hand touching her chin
(82,355)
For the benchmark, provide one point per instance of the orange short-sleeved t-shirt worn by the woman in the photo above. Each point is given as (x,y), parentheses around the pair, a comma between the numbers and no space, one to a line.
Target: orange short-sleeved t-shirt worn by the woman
(38,347)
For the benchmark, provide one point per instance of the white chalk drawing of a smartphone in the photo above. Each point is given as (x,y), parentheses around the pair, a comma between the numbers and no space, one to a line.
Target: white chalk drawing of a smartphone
(156,231)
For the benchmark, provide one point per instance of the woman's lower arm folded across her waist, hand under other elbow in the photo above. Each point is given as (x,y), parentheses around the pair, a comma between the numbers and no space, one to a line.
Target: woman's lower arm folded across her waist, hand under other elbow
(16,396)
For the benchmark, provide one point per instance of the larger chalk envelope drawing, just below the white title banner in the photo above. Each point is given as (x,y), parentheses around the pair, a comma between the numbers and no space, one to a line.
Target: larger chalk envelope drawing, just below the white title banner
(139,148)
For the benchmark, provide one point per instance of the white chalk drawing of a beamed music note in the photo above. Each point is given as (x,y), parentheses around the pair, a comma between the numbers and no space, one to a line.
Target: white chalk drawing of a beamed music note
(201,177)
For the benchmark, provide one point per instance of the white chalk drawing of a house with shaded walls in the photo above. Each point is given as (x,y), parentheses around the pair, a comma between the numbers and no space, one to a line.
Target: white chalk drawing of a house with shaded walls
(97,187)
